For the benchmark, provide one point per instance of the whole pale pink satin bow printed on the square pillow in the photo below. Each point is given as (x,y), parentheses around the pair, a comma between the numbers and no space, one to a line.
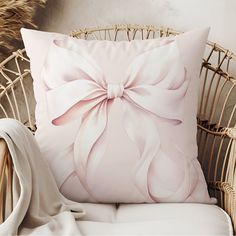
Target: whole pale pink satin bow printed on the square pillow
(154,88)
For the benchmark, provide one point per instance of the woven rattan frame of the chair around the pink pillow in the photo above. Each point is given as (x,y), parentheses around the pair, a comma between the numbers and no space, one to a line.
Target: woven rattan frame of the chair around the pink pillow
(216,113)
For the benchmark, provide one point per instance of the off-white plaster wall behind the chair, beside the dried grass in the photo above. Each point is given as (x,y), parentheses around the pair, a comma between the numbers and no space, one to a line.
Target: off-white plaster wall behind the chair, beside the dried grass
(67,15)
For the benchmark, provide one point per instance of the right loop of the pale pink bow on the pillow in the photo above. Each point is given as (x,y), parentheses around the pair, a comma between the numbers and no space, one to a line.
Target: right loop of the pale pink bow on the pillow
(158,82)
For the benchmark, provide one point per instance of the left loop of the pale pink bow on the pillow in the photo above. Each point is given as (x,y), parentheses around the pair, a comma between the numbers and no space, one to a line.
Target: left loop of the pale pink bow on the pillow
(72,81)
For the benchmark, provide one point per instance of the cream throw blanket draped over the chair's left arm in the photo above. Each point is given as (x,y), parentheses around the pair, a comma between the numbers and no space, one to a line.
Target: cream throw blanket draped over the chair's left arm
(39,208)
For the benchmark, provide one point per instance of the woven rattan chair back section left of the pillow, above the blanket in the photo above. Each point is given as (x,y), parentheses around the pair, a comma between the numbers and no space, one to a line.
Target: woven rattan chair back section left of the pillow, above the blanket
(16,91)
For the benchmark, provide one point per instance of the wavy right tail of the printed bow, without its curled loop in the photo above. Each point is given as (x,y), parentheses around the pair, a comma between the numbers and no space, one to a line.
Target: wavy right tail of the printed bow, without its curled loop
(141,130)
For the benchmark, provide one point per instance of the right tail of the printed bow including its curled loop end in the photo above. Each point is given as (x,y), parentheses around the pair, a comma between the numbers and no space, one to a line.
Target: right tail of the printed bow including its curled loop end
(148,179)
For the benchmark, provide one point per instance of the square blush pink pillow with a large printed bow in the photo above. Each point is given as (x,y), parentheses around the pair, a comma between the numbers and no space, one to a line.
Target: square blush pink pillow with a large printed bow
(117,120)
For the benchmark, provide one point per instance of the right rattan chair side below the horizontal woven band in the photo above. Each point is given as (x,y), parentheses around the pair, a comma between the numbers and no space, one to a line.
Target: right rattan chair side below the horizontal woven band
(219,164)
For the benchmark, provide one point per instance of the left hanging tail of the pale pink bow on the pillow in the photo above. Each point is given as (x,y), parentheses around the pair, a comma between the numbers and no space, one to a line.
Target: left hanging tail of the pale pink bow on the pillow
(92,128)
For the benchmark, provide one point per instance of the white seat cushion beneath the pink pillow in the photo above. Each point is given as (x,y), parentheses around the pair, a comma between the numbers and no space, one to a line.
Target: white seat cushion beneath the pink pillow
(155,219)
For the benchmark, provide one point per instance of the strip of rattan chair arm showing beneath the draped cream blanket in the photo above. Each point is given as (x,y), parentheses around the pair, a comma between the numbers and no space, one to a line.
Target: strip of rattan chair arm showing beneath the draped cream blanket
(6,178)
